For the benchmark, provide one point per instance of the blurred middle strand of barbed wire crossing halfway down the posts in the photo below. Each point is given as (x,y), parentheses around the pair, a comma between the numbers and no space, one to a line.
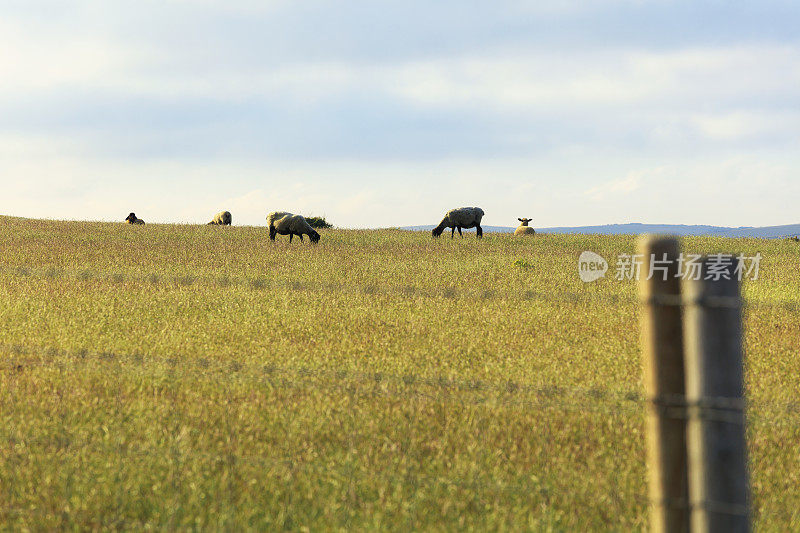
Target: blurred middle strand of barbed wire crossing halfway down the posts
(507,393)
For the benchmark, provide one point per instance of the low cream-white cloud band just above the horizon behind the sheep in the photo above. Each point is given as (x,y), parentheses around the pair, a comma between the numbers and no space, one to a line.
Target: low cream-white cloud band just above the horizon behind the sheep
(756,189)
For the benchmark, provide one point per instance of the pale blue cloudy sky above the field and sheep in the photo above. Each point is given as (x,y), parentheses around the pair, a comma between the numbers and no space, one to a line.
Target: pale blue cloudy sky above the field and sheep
(380,113)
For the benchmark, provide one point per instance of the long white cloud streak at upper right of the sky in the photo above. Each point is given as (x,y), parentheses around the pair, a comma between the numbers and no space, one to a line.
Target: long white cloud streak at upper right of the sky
(620,77)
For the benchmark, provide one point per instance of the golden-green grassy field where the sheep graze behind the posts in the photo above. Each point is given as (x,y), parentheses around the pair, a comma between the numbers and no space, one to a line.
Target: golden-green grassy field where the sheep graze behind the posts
(176,376)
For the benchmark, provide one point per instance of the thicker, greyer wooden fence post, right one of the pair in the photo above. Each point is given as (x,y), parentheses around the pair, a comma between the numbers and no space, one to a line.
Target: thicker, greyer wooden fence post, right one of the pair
(718,481)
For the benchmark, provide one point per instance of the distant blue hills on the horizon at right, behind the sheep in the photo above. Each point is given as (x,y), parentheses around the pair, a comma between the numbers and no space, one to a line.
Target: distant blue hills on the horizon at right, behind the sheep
(766,232)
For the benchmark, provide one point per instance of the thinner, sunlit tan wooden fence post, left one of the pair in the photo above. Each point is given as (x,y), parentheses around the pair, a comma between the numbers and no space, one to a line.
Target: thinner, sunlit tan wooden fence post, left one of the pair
(662,343)
